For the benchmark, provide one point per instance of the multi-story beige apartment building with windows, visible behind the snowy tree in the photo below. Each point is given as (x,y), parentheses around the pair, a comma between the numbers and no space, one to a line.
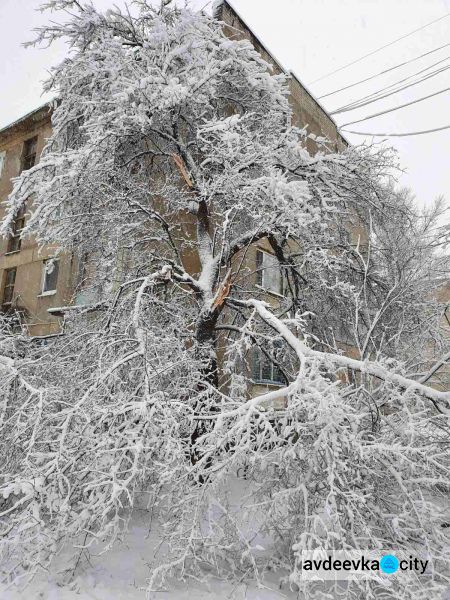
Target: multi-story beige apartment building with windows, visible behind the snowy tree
(32,284)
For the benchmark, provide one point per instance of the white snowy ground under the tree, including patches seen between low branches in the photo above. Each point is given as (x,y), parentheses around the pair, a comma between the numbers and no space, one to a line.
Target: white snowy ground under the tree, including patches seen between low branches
(123,572)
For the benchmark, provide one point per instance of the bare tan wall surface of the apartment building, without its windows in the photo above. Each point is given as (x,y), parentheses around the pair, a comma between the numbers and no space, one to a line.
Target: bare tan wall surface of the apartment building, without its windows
(29,260)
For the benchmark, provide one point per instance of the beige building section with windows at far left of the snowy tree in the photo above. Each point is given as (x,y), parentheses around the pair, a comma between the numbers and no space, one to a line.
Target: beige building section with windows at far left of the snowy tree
(31,282)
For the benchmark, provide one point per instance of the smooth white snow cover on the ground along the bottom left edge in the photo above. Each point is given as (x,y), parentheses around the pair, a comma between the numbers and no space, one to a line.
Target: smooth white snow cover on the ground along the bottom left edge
(122,573)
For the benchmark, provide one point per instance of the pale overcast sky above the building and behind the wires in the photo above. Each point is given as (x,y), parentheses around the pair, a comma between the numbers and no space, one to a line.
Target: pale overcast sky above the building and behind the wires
(311,38)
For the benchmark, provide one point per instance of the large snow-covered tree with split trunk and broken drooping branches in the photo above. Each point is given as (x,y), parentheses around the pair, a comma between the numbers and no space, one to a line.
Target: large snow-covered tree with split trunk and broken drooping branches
(172,155)
